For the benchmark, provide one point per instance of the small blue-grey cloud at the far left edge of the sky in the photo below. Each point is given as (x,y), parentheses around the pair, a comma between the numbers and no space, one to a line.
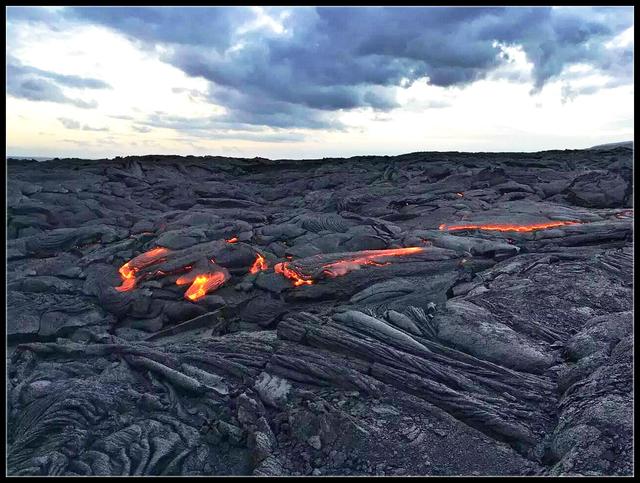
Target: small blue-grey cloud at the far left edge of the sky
(35,84)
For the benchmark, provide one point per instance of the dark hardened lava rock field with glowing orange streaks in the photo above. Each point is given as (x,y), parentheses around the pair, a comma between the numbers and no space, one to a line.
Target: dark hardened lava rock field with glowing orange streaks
(476,352)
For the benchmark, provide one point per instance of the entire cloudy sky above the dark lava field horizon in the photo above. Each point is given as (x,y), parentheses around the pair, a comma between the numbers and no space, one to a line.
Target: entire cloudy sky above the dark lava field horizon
(284,82)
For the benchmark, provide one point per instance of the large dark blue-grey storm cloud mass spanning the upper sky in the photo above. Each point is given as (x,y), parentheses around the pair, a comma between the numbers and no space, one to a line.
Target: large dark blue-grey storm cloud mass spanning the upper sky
(333,59)
